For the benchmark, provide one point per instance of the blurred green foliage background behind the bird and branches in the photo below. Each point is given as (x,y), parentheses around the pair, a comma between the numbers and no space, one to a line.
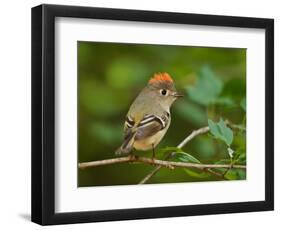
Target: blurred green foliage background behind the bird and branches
(111,75)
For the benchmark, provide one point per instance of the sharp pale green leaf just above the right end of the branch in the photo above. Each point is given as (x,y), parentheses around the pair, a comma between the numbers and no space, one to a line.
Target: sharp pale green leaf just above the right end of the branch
(221,131)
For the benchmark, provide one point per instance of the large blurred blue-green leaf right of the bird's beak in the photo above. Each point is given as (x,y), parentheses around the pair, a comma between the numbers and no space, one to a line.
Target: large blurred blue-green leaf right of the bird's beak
(207,88)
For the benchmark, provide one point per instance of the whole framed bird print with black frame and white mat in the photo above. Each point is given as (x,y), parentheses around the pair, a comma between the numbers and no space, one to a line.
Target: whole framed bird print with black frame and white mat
(141,114)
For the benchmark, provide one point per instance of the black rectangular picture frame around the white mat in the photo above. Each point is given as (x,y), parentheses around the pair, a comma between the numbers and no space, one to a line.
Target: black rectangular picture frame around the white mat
(43,114)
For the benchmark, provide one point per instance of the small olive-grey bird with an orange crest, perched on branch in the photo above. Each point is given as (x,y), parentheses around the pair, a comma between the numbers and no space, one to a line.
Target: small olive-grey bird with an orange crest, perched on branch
(149,118)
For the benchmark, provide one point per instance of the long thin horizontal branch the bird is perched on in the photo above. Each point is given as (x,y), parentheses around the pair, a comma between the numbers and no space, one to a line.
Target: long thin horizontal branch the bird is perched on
(162,163)
